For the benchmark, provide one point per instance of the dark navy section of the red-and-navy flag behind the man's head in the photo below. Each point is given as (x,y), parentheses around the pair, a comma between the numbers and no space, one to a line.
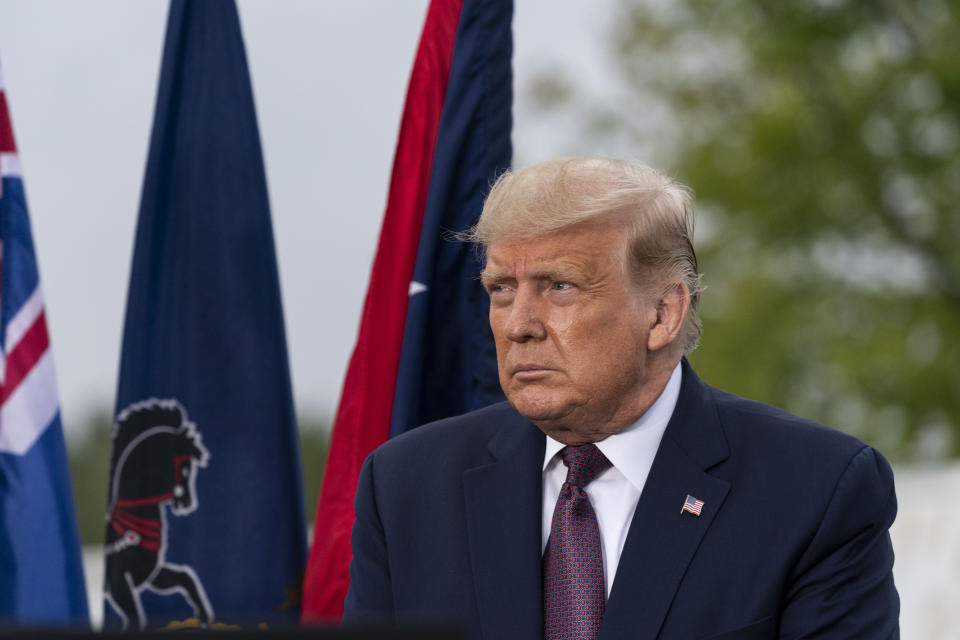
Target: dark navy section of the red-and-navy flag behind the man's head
(448,364)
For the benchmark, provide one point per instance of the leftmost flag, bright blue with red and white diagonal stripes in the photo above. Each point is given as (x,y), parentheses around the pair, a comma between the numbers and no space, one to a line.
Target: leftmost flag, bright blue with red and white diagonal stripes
(41,574)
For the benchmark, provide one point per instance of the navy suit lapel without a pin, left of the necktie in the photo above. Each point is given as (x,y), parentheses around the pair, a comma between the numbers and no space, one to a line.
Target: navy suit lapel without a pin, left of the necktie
(503,526)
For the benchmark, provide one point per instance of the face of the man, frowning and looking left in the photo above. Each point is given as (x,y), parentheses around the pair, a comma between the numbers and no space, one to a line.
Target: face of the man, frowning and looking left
(571,331)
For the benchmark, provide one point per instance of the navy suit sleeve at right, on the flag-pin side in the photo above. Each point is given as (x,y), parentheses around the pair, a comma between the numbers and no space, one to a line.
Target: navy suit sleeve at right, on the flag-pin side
(843,586)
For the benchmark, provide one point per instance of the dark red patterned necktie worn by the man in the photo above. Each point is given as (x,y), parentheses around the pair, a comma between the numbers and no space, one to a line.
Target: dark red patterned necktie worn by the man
(573,586)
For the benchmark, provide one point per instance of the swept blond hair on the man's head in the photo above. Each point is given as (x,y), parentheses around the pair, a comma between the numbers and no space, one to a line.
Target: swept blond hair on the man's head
(656,211)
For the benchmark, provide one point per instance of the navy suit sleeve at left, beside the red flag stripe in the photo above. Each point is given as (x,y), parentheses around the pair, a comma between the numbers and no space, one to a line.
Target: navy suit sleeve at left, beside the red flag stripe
(370,597)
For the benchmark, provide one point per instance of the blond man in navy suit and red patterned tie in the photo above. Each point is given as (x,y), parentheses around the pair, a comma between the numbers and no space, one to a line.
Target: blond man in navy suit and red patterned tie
(616,495)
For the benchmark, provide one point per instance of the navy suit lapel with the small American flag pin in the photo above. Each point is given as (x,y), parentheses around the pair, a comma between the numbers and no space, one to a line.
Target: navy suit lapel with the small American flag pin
(662,540)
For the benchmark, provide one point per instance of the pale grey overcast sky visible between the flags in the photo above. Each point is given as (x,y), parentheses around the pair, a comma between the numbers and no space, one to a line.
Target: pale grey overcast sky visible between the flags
(329,81)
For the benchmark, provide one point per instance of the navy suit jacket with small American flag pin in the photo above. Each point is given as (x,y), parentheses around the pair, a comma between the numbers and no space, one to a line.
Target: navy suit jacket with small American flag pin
(792,540)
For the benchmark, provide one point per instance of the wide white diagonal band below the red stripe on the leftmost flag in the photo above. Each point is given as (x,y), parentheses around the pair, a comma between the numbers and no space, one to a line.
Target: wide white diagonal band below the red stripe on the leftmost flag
(31,408)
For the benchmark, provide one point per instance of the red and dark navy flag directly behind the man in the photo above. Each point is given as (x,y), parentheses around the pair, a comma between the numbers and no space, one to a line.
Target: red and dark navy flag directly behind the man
(424,350)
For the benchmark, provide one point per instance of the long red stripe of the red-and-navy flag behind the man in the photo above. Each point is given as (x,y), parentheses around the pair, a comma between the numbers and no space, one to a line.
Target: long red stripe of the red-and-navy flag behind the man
(366,403)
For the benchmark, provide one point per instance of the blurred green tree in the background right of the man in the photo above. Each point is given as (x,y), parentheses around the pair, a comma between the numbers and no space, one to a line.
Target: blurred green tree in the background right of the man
(822,139)
